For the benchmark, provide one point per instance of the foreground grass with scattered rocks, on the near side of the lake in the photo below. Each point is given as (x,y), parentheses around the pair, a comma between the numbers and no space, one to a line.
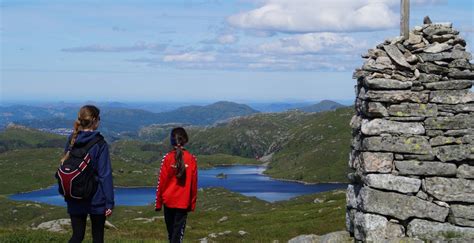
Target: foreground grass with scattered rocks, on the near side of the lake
(262,221)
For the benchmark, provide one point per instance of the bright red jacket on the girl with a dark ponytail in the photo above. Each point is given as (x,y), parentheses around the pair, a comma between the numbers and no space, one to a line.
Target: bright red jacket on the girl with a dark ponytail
(170,191)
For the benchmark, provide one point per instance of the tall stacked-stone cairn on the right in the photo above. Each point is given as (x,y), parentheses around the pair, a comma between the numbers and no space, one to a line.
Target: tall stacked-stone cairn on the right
(413,139)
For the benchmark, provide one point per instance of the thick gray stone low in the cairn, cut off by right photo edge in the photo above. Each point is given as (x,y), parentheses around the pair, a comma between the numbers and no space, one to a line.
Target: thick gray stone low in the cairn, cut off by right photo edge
(450,189)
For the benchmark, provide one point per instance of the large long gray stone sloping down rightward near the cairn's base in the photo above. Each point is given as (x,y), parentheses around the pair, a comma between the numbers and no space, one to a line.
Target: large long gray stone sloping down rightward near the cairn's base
(399,206)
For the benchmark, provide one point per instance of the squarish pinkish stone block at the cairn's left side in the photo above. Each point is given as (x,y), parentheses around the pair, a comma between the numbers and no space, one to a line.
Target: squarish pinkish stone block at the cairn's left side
(376,162)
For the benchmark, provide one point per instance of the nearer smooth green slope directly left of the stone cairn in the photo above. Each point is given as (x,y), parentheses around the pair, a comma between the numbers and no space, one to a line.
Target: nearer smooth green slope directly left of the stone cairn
(318,149)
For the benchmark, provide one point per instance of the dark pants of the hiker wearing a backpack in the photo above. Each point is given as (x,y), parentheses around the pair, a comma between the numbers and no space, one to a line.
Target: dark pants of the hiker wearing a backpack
(78,223)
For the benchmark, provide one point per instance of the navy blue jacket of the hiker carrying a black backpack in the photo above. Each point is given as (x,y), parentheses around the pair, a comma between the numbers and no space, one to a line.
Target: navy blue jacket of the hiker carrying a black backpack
(104,197)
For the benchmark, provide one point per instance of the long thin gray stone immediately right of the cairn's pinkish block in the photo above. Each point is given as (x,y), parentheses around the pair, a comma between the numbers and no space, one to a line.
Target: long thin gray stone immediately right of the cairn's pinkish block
(428,168)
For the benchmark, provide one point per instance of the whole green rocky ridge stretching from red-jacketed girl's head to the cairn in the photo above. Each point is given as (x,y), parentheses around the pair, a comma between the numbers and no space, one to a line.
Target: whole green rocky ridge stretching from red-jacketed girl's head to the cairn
(311,147)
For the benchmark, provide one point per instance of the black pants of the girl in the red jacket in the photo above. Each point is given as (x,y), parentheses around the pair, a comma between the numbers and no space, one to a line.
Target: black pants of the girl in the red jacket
(175,219)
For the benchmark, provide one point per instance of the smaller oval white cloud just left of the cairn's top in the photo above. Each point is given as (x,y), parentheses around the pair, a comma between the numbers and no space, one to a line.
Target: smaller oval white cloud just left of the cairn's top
(311,43)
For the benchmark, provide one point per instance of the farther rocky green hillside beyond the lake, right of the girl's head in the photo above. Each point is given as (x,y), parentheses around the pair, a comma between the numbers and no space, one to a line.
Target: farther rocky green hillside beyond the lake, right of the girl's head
(250,136)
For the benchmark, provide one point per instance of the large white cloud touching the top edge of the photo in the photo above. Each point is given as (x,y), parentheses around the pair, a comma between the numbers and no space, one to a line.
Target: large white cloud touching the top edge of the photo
(322,15)
